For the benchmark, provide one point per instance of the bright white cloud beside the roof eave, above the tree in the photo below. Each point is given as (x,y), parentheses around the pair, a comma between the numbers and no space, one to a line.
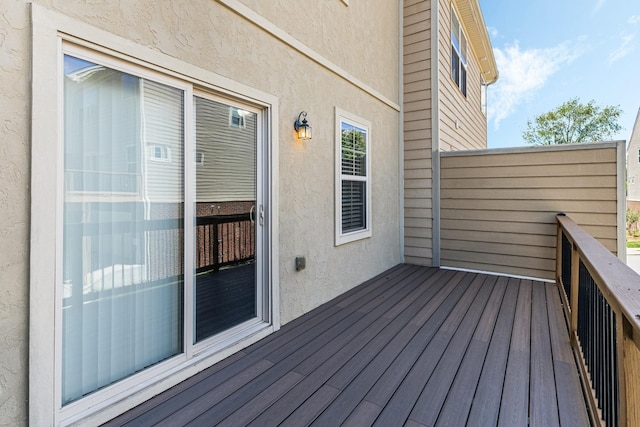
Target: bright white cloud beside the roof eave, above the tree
(523,73)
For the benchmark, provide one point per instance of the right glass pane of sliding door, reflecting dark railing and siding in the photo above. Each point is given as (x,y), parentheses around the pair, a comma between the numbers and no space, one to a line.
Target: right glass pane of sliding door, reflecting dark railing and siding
(225,217)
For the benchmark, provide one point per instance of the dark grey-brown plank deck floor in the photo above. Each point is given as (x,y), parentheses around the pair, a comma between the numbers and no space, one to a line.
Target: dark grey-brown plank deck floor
(413,346)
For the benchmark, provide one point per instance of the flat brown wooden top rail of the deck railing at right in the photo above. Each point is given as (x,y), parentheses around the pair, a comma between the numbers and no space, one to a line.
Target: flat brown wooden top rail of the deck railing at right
(618,282)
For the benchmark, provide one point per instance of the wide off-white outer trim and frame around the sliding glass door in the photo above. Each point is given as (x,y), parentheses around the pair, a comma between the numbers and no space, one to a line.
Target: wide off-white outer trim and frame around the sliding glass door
(50,30)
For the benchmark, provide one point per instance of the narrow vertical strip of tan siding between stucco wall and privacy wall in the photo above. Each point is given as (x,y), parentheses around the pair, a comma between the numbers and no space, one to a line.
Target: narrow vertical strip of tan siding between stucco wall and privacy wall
(417,132)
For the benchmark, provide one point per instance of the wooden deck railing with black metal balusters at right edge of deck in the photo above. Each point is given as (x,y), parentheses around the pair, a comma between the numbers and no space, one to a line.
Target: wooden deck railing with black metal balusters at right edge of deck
(601,297)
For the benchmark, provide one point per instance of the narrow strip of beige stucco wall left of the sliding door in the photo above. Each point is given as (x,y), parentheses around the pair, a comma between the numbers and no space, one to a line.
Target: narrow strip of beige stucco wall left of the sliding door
(14,210)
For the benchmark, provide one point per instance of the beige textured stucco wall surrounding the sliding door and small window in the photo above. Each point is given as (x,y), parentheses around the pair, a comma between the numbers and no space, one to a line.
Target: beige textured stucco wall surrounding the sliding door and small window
(212,37)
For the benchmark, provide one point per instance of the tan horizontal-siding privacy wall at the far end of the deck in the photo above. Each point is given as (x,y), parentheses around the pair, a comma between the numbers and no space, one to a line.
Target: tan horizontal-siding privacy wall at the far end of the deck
(498,207)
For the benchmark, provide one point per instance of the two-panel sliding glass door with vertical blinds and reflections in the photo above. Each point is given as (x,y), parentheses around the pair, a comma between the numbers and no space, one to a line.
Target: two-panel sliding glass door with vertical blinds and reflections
(160,248)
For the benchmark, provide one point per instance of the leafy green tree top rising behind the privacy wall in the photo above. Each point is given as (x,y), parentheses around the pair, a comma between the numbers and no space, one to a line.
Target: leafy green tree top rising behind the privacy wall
(573,122)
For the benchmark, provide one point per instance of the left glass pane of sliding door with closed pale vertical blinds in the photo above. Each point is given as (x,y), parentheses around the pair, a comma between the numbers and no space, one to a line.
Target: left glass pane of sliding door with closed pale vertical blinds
(122,255)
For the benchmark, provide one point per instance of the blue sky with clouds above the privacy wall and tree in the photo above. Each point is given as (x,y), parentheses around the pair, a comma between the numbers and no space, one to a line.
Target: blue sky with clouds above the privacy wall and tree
(550,51)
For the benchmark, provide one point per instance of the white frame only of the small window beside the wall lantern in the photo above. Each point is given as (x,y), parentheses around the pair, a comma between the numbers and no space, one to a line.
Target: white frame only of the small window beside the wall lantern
(342,116)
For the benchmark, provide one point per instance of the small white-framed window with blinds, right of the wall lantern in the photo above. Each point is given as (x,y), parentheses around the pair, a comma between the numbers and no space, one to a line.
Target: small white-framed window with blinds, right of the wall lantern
(353,178)
